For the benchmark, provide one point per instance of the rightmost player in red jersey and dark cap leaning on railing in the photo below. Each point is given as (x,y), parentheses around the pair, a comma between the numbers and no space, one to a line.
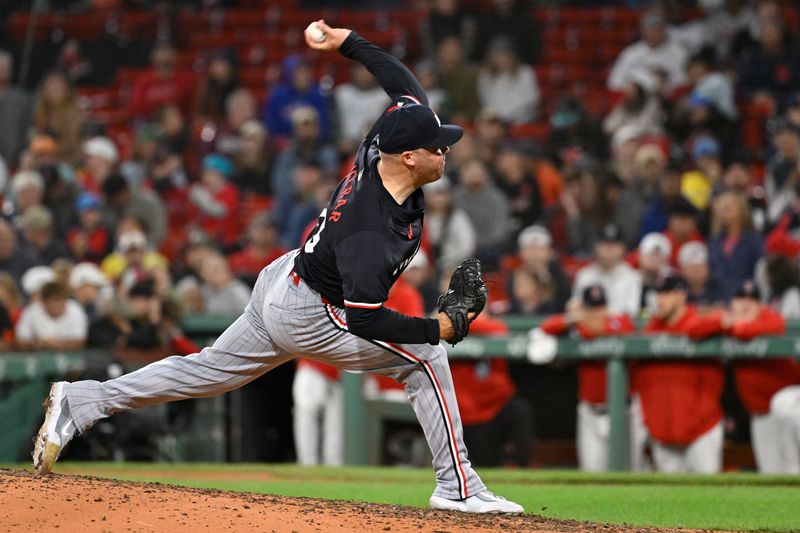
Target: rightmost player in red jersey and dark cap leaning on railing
(757,381)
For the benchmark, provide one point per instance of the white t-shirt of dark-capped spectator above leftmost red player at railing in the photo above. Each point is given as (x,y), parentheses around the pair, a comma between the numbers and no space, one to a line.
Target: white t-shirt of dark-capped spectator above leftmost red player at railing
(623,286)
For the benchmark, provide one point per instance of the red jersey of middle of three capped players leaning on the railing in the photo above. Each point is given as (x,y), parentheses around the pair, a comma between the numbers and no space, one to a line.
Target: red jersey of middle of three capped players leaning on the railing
(680,398)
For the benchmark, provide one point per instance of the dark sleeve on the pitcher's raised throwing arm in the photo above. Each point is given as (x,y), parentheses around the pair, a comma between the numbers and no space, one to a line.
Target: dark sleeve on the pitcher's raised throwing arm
(395,78)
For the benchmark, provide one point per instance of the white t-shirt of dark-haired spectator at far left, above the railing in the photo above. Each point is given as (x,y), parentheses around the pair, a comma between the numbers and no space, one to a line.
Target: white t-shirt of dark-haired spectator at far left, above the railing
(35,324)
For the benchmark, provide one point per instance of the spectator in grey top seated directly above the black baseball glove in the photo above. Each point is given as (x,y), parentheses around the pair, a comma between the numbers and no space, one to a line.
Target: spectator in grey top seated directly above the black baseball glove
(487,209)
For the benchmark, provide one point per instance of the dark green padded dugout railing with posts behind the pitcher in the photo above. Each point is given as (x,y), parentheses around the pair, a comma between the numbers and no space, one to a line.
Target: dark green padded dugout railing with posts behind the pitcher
(24,377)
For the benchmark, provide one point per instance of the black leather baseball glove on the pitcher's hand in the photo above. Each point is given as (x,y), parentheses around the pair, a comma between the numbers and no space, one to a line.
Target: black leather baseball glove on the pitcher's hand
(466,294)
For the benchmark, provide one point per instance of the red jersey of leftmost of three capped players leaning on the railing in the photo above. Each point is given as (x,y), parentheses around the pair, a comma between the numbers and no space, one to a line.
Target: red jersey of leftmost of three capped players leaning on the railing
(591,374)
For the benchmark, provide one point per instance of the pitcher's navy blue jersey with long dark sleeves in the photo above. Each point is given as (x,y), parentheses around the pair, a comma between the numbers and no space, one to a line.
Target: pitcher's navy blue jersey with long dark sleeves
(364,239)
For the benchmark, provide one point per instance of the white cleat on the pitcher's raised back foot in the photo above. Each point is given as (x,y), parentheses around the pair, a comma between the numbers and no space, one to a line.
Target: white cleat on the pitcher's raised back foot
(57,430)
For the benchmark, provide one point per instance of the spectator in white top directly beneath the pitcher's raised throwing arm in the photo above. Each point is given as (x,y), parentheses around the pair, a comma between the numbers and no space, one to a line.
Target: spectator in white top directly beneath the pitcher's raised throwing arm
(359,103)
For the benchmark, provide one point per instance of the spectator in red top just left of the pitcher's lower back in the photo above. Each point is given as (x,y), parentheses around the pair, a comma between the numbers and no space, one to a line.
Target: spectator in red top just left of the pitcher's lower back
(262,249)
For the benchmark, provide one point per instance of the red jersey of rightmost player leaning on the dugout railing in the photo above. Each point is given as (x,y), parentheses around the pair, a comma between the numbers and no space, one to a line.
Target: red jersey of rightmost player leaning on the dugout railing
(756,380)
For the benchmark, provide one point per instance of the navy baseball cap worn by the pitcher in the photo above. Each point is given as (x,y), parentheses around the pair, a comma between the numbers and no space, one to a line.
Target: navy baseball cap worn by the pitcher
(409,127)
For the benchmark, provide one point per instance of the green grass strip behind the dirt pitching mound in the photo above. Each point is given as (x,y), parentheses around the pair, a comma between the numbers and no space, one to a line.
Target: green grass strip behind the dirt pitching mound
(729,502)
